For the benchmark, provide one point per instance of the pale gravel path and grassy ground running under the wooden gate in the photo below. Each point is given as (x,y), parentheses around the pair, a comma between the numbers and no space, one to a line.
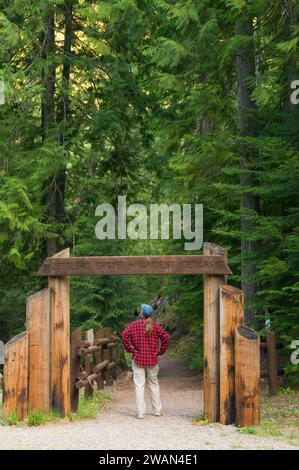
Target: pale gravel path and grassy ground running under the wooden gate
(180,427)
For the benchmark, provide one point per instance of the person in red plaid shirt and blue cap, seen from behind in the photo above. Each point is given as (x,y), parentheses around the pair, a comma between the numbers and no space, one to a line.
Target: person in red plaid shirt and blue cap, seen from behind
(146,340)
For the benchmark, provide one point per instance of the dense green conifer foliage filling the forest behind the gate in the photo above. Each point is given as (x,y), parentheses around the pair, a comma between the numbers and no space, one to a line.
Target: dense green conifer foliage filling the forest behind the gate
(153,98)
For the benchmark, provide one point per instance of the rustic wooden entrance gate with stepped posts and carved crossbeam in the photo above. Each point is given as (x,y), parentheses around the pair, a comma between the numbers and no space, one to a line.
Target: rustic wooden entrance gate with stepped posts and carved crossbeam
(47,344)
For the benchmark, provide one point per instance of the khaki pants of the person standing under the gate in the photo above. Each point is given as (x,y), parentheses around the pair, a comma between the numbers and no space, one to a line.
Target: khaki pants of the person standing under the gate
(139,376)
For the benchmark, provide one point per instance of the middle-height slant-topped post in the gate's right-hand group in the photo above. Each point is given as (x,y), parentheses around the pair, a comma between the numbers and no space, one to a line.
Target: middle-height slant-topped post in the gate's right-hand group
(231,315)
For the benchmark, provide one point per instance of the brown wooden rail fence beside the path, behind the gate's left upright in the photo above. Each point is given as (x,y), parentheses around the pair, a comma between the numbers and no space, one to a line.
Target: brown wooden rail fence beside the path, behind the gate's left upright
(93,362)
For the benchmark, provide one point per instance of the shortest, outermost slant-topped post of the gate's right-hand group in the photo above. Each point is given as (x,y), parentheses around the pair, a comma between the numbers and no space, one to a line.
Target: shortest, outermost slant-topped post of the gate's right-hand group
(247,377)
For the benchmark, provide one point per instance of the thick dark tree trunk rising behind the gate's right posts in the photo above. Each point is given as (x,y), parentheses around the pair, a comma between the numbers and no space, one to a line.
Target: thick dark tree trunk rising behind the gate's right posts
(245,63)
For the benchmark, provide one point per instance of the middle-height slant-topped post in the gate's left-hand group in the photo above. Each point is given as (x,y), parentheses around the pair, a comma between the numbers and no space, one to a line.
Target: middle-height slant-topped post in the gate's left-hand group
(38,327)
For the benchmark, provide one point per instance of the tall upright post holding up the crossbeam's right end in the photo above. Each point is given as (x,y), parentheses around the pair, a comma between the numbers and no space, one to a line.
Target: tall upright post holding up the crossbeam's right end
(211,337)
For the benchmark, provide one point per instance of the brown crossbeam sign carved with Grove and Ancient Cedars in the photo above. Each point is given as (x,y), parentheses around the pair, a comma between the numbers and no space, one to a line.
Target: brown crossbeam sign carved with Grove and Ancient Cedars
(124,265)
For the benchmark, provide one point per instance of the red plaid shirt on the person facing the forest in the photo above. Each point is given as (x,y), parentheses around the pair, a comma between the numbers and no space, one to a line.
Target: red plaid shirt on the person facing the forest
(145,348)
